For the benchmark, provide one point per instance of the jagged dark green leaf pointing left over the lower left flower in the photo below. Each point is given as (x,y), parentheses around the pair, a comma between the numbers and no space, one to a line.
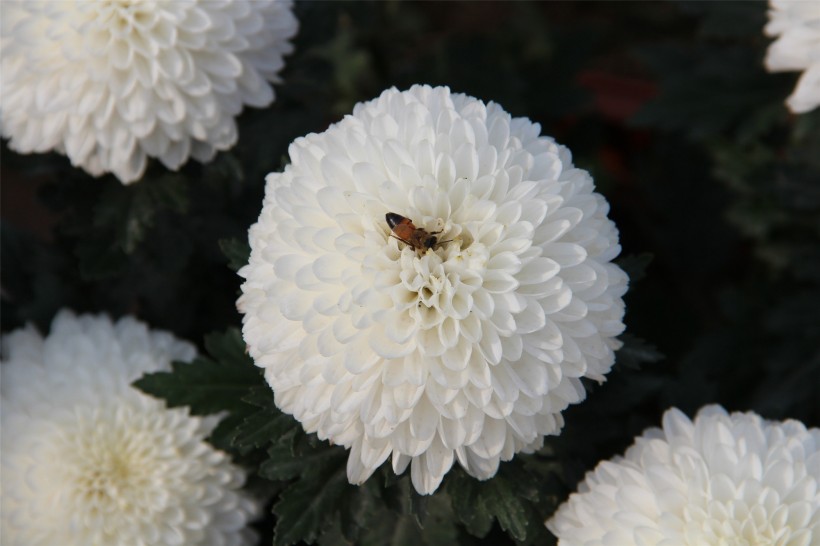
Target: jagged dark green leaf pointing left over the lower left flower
(207,386)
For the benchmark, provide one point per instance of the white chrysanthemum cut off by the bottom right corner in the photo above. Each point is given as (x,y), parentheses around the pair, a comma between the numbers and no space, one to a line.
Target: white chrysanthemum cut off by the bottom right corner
(720,480)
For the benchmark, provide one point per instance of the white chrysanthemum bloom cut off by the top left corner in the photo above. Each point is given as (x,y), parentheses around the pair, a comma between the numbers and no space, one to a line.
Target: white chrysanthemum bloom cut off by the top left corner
(112,82)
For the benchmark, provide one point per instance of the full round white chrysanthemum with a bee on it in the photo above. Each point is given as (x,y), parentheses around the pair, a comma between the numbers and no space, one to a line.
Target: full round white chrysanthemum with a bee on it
(465,347)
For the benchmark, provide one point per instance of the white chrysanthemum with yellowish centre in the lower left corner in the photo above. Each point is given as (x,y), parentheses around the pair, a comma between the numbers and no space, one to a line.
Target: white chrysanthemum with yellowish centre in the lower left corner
(87,460)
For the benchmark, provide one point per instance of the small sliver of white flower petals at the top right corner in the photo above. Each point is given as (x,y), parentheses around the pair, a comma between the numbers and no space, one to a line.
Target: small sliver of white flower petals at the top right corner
(796,24)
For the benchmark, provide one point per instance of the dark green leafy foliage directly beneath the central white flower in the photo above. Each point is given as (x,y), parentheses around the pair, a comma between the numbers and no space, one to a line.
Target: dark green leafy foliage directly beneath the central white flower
(314,491)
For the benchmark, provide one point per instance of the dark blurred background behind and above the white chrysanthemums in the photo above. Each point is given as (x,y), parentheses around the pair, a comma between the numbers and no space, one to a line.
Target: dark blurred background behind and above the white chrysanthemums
(713,184)
